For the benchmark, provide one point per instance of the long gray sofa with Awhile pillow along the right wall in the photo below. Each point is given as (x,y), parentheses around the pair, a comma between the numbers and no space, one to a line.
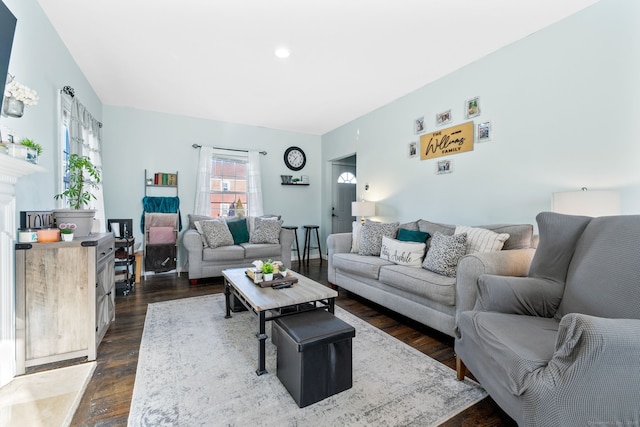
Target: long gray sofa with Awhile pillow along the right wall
(422,295)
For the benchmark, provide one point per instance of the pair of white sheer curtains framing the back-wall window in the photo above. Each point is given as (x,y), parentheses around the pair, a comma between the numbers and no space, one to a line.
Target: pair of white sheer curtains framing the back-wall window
(203,183)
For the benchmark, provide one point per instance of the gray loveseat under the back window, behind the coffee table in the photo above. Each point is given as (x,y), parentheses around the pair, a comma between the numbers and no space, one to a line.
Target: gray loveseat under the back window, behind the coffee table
(204,261)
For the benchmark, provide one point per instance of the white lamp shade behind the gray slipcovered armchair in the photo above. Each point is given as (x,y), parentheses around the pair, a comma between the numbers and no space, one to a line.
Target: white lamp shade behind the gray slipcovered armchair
(589,203)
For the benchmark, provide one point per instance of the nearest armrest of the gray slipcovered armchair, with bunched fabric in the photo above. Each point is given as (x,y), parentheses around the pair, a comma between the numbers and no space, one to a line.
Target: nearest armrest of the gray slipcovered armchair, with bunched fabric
(593,371)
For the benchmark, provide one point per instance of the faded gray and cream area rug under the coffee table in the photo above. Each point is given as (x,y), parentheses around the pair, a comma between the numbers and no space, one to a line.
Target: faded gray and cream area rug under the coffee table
(197,368)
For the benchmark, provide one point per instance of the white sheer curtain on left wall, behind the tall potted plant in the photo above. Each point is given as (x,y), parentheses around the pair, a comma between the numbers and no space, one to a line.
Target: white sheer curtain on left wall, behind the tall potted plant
(85,139)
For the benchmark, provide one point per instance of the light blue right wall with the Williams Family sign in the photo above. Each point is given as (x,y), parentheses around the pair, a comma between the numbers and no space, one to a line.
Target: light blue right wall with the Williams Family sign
(564,108)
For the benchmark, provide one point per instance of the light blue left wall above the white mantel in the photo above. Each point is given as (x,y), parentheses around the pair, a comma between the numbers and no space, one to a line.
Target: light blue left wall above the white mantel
(40,61)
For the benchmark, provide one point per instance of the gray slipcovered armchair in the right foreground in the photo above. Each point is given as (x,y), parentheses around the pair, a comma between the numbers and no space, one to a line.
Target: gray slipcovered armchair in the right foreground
(561,347)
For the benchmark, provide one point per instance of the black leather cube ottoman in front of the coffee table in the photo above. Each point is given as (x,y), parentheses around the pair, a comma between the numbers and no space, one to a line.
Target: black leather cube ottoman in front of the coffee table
(314,355)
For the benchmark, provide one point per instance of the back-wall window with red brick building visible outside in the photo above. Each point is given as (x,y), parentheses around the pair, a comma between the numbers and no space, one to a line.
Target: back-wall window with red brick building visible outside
(229,193)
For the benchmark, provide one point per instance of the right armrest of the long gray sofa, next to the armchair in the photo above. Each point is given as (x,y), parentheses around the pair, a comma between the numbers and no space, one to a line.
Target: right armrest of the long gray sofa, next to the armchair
(514,262)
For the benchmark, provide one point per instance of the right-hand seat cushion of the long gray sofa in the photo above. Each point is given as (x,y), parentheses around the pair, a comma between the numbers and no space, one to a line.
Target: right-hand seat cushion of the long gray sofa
(419,281)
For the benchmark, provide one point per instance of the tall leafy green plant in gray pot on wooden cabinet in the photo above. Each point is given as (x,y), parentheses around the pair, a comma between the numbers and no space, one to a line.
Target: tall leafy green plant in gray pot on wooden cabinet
(84,177)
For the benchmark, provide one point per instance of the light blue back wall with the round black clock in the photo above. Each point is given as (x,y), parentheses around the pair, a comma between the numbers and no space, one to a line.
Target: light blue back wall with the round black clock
(136,140)
